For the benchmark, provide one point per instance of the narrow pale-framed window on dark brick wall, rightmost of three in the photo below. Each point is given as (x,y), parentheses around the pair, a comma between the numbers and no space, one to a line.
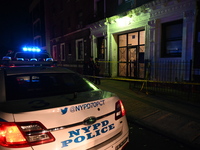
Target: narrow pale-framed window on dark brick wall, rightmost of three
(79,49)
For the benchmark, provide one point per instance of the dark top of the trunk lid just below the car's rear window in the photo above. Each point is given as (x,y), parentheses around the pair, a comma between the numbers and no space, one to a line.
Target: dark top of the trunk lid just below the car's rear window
(26,105)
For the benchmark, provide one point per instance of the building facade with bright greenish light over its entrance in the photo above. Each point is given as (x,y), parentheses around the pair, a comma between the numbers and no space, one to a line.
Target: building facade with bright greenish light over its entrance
(157,40)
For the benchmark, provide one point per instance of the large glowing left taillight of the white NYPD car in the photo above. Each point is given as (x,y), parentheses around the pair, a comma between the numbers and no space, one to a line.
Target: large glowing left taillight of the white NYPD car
(23,134)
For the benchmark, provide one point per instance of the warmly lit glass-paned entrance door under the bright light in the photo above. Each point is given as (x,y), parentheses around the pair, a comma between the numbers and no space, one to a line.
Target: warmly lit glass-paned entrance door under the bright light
(131,48)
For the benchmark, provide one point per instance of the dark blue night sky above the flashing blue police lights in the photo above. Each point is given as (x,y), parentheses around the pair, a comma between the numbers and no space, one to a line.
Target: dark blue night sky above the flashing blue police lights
(15,29)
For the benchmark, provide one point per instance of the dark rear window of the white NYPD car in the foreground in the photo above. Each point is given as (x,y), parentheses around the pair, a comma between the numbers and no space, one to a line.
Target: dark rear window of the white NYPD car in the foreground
(42,85)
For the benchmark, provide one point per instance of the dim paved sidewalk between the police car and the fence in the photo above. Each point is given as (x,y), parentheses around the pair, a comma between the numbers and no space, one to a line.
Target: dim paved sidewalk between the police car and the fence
(180,121)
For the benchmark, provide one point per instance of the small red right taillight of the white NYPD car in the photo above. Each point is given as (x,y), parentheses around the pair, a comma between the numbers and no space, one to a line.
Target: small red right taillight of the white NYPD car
(119,110)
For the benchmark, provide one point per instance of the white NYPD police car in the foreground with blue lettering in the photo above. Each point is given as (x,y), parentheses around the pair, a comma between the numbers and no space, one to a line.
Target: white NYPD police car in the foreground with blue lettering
(53,108)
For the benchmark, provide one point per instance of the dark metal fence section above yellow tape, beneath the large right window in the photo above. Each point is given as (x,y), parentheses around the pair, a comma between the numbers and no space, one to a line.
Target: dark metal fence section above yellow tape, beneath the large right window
(171,71)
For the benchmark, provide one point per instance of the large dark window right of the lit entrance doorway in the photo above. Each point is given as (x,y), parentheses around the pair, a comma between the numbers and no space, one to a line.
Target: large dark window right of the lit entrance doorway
(172,33)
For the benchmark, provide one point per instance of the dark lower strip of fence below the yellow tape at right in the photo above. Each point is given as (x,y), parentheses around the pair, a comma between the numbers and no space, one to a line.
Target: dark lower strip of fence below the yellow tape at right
(175,91)
